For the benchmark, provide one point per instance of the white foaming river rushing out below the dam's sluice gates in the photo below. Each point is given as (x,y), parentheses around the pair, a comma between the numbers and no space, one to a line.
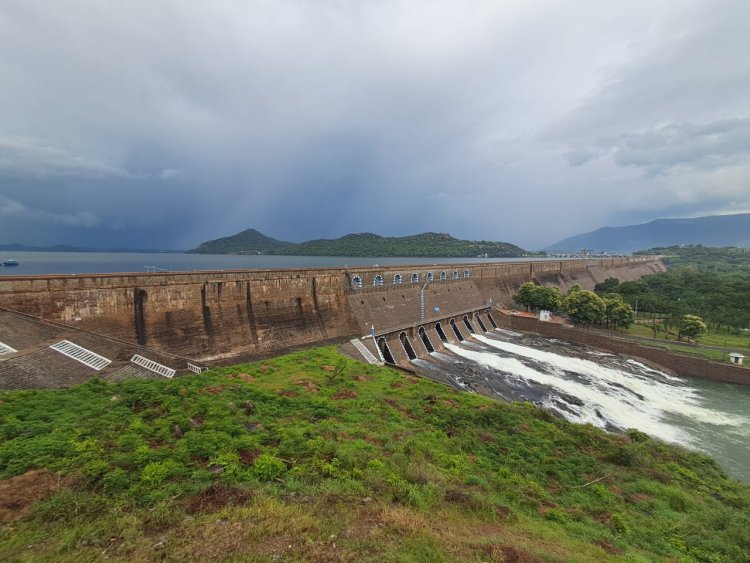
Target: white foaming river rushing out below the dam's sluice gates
(609,391)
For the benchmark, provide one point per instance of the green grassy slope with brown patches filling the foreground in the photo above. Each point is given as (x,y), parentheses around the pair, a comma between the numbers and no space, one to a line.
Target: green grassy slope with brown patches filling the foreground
(315,457)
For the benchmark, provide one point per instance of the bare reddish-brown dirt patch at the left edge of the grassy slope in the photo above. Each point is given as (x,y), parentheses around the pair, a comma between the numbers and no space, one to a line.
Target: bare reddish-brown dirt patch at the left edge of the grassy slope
(19,494)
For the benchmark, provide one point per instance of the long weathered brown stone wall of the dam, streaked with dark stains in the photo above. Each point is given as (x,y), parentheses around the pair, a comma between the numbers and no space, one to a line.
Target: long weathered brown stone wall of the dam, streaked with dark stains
(213,315)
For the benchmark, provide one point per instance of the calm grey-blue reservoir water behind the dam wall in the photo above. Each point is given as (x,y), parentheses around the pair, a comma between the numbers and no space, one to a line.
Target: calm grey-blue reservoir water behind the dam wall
(35,263)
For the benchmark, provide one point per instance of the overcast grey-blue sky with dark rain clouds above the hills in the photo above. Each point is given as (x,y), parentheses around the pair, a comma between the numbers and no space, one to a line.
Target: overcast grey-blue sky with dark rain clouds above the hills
(164,123)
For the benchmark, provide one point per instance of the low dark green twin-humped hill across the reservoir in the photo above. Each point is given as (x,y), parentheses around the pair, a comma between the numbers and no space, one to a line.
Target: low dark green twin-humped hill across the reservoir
(363,244)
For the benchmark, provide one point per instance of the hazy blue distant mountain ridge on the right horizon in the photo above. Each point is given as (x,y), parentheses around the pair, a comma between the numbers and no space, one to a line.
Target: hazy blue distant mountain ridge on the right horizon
(714,230)
